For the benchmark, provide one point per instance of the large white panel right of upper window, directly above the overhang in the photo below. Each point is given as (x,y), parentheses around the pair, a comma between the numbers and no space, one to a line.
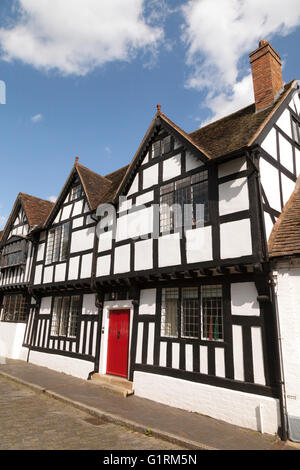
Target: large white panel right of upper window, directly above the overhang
(236,239)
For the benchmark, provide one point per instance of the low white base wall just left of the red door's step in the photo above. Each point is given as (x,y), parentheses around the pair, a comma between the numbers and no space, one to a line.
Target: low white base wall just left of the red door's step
(76,367)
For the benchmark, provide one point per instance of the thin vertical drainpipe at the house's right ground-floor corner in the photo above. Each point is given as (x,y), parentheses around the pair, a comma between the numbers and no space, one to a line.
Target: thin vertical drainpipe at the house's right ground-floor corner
(282,392)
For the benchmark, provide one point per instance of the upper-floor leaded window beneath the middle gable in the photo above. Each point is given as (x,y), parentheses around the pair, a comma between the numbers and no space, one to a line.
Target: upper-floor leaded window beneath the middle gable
(58,241)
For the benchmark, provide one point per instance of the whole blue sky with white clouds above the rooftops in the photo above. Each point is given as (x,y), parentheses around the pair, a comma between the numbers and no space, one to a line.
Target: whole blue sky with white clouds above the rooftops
(83,77)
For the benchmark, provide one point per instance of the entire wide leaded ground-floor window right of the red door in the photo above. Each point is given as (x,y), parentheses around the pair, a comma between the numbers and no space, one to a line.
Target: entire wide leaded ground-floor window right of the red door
(193,312)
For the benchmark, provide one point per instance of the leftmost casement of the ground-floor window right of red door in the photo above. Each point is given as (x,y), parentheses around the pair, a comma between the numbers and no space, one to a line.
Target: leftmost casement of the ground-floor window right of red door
(169,313)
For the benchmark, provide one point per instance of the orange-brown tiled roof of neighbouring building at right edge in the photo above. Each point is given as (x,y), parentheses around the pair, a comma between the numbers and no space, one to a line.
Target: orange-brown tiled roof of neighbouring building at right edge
(285,236)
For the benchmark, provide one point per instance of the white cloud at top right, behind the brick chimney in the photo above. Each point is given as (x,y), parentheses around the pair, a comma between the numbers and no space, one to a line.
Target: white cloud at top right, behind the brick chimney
(219,35)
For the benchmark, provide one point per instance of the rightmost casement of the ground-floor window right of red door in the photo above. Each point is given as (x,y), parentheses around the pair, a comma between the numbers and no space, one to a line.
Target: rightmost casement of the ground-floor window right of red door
(212,313)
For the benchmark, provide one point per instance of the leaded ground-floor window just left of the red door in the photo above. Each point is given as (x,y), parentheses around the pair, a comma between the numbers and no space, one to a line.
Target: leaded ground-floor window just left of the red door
(65,315)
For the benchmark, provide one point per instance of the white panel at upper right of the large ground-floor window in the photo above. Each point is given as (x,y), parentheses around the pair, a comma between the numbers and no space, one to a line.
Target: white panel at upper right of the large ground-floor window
(244,299)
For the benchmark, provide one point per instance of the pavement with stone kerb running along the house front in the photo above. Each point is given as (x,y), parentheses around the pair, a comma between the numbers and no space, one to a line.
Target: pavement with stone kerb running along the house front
(189,430)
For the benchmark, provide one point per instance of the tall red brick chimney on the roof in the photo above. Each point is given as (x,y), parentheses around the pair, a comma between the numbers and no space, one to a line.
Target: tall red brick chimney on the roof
(266,75)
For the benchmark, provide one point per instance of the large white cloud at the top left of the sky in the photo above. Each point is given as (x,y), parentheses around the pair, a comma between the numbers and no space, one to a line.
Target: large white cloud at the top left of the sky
(75,36)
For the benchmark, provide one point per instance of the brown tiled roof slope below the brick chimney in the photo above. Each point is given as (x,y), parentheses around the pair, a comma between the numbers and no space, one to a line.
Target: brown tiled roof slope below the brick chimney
(237,130)
